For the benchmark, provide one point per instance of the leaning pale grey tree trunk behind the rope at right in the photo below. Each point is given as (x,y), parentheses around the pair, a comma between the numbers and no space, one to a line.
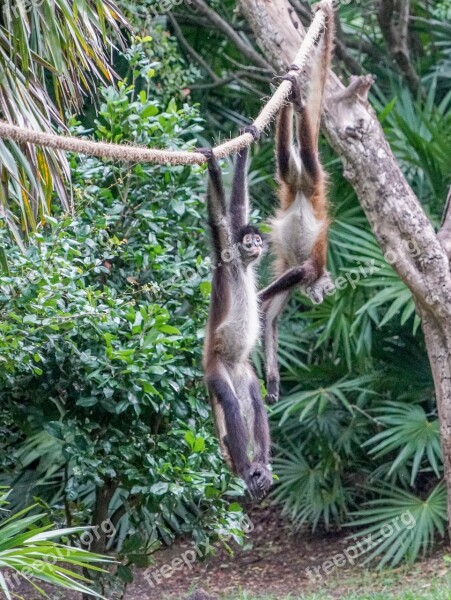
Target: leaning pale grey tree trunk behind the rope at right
(394,212)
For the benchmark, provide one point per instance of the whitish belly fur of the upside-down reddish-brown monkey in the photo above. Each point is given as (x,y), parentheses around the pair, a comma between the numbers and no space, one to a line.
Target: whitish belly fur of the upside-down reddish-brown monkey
(294,231)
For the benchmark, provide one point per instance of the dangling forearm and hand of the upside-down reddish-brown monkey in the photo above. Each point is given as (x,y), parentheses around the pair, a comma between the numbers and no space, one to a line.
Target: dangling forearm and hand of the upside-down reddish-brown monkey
(271,311)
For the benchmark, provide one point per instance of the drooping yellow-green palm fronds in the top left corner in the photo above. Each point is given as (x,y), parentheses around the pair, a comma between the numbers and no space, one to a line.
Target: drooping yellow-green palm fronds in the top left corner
(62,46)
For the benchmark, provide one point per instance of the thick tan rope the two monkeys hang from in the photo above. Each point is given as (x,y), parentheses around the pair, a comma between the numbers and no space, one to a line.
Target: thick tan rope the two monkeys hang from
(139,154)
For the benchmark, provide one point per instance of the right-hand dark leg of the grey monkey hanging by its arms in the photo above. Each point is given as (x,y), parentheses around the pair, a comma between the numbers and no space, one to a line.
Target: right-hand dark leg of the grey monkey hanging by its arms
(260,475)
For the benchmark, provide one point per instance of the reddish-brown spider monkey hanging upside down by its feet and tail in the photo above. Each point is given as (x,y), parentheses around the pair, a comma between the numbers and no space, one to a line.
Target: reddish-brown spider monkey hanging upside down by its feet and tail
(299,229)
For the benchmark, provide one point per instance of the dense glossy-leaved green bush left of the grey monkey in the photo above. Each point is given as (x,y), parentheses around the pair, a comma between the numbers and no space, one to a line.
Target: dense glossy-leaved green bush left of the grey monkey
(101,336)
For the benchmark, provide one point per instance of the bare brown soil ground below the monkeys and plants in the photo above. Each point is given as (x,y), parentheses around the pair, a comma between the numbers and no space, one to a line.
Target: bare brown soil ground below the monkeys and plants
(274,560)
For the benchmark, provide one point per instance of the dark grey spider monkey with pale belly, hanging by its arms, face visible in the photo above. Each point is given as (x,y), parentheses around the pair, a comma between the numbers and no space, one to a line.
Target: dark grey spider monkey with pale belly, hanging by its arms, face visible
(233,328)
